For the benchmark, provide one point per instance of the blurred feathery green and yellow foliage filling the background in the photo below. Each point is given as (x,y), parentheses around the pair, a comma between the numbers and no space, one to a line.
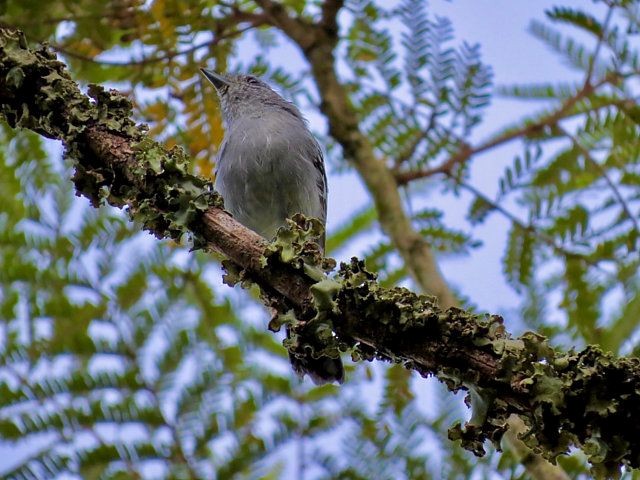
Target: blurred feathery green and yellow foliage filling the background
(125,357)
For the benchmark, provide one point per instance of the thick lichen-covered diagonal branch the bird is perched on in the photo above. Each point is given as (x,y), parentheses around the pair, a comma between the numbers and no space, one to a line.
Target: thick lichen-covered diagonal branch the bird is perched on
(586,399)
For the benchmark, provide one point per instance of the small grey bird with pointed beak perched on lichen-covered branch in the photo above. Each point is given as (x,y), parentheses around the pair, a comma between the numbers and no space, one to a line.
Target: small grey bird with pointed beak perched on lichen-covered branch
(270,167)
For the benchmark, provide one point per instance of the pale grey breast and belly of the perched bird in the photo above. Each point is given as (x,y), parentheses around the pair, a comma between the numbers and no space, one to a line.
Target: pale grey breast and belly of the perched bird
(264,176)
